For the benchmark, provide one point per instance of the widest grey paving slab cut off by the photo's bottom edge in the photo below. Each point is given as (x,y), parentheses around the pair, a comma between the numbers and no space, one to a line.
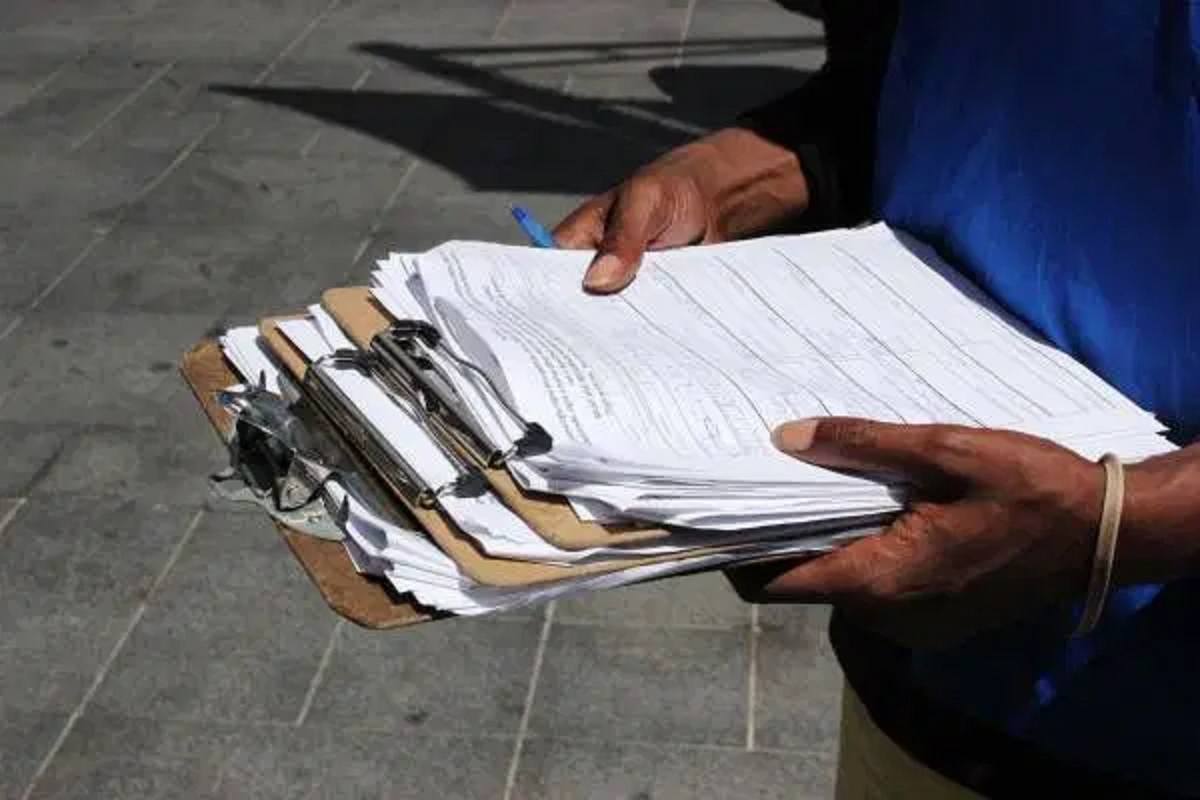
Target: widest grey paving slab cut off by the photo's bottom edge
(117,756)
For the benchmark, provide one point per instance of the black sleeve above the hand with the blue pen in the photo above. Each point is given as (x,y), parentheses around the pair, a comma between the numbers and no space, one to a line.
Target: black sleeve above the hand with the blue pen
(830,122)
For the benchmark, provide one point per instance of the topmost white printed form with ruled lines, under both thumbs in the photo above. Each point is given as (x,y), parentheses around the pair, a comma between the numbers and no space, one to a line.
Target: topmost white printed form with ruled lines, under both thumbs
(712,347)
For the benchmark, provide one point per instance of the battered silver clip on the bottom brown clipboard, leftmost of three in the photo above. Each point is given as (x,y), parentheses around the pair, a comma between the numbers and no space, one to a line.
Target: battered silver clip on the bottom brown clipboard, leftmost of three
(274,464)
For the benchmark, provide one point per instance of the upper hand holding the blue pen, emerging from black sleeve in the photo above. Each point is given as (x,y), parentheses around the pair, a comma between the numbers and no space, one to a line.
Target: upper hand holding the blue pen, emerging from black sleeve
(728,185)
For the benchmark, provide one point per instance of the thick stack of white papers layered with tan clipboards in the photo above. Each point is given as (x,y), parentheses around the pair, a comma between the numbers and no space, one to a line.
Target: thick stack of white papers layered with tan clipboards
(650,413)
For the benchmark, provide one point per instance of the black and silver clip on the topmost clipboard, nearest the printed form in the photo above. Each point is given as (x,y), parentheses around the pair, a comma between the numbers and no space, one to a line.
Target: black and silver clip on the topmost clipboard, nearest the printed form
(407,345)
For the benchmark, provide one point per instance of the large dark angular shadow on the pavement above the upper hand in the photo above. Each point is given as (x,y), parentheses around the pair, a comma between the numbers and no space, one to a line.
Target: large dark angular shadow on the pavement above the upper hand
(507,135)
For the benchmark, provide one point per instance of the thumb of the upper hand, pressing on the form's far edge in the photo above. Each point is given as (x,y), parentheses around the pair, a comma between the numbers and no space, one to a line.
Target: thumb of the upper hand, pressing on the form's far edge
(638,216)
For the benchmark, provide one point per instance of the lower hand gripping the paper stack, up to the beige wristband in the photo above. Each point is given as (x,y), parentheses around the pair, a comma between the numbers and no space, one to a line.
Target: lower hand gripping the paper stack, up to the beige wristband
(999,525)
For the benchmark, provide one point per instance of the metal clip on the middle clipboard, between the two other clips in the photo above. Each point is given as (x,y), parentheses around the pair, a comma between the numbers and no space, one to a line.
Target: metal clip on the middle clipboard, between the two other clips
(359,431)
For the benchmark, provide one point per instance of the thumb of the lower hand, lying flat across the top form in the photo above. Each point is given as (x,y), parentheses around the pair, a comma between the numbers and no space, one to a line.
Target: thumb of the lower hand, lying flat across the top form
(929,455)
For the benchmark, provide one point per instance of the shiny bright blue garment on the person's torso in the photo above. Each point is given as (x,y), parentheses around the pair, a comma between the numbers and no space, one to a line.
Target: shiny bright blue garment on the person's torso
(1053,152)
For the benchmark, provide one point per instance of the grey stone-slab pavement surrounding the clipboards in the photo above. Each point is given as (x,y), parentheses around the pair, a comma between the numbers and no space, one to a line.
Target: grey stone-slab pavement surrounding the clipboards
(172,166)
